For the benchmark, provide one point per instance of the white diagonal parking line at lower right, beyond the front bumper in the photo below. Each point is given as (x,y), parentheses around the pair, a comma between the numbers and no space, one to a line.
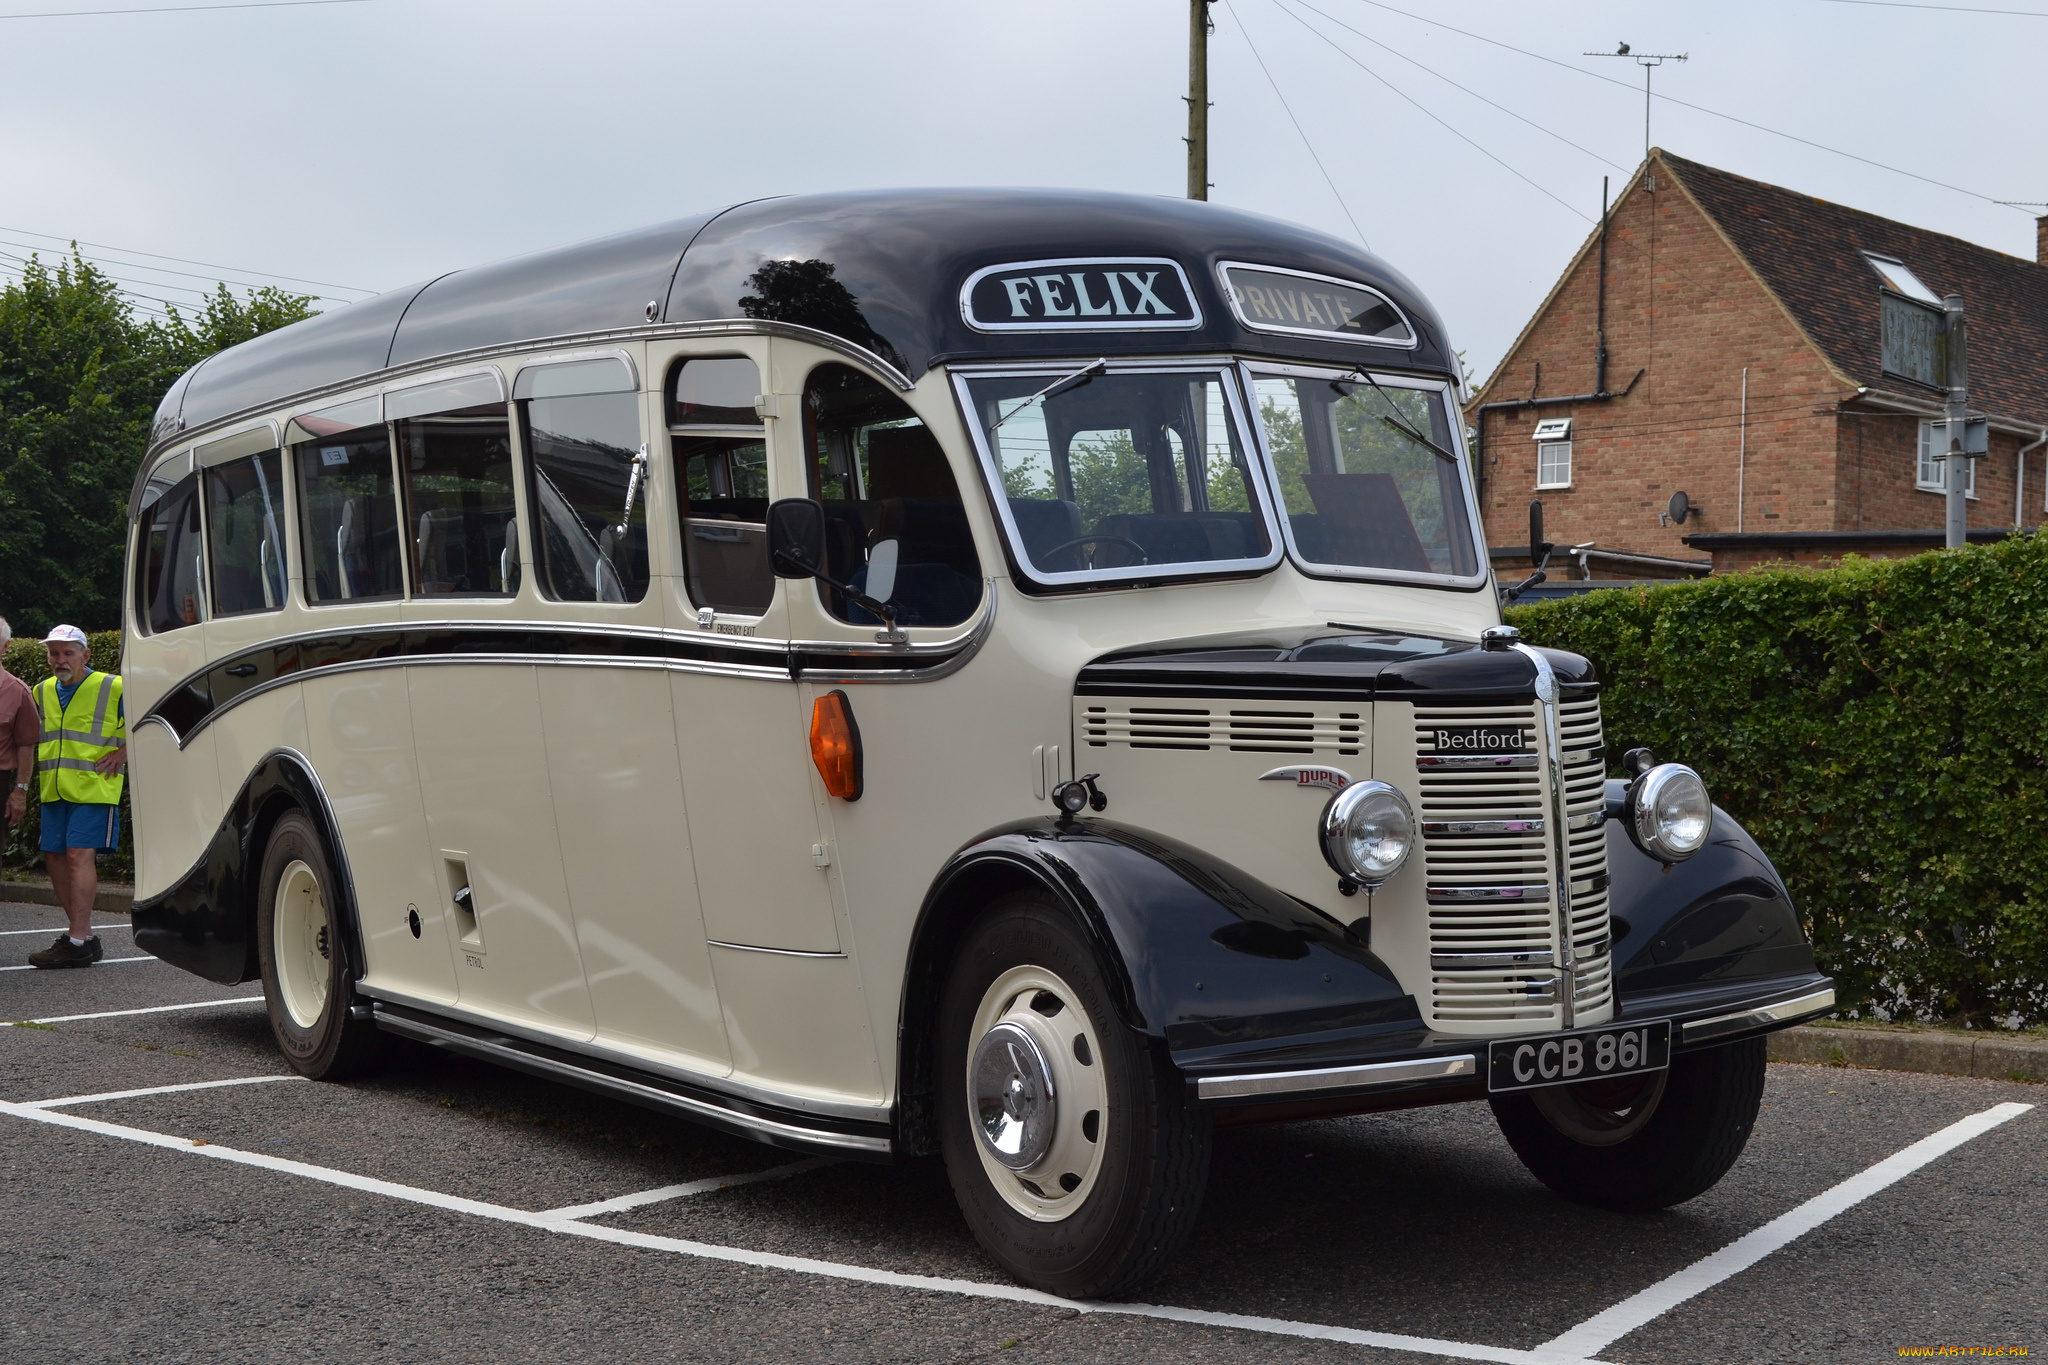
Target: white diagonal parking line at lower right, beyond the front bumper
(1609,1327)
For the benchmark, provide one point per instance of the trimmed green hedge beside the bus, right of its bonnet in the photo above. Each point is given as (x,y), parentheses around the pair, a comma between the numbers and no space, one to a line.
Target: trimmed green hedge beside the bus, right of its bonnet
(1883,732)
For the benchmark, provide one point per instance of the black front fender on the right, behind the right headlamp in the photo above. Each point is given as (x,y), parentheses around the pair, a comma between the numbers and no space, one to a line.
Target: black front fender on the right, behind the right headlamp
(1723,916)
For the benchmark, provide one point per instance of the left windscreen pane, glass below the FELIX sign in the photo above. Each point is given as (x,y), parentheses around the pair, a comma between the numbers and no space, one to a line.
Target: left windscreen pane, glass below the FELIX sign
(1121,472)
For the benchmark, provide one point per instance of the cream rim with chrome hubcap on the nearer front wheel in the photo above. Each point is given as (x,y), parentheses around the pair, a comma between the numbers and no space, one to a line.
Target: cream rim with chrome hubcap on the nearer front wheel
(1052,1092)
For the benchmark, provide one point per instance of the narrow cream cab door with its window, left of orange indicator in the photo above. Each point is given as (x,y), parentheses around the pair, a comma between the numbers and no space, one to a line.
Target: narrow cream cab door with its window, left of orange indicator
(763,861)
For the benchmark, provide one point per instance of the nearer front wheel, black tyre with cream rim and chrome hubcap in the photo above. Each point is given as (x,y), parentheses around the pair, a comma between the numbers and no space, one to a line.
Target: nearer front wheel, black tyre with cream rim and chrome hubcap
(1070,1139)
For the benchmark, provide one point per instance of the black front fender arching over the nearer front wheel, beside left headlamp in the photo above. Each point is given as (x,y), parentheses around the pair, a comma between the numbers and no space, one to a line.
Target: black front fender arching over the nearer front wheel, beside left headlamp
(1205,957)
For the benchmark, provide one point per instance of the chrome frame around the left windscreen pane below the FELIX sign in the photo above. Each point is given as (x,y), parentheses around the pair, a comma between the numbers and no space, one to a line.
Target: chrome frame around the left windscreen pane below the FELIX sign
(1224,369)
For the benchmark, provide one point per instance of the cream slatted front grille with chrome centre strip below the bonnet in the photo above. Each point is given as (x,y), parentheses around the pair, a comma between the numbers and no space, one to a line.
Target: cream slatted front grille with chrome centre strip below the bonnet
(1496,951)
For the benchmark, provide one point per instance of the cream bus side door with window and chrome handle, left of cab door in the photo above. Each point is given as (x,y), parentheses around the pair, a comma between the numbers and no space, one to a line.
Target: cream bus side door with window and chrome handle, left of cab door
(591,496)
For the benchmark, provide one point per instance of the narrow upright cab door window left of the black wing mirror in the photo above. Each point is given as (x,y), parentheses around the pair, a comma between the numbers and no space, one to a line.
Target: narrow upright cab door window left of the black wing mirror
(722,478)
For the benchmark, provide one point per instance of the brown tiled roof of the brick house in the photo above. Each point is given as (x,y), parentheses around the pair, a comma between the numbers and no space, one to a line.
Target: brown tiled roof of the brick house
(1809,253)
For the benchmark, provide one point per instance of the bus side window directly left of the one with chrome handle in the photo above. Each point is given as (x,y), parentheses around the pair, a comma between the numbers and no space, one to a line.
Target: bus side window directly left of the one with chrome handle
(460,523)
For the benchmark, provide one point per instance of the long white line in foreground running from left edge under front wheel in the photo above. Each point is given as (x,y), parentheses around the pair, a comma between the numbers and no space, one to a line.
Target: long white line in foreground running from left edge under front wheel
(798,1266)
